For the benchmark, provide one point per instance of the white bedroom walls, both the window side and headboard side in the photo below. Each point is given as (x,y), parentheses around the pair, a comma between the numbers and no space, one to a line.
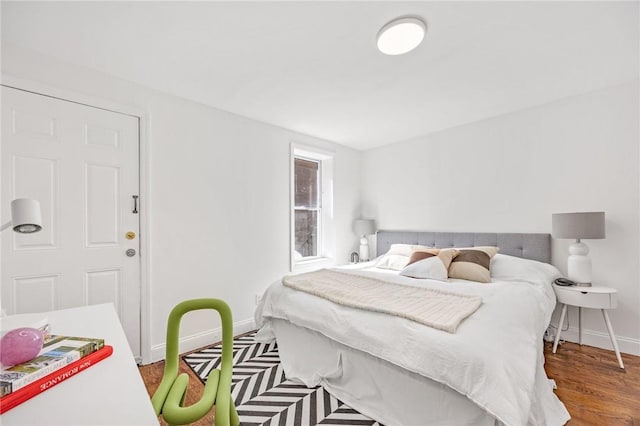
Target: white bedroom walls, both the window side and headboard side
(506,174)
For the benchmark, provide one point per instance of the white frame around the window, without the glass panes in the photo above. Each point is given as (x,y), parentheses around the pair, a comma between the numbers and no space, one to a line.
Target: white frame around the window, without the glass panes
(326,229)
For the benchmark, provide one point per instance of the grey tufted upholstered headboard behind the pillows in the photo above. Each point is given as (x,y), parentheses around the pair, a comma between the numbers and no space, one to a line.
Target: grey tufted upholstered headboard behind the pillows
(528,246)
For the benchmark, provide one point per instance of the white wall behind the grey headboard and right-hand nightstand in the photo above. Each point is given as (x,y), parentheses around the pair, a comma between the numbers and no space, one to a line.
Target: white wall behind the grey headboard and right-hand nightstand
(510,173)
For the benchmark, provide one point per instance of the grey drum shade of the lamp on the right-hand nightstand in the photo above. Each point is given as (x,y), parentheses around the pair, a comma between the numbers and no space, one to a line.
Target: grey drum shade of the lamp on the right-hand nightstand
(586,225)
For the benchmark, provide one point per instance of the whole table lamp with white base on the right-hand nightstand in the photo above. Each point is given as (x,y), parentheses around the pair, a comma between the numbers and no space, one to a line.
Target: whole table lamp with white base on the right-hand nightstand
(579,226)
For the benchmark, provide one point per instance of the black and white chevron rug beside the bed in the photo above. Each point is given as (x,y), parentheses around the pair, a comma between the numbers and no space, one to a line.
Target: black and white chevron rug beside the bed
(264,396)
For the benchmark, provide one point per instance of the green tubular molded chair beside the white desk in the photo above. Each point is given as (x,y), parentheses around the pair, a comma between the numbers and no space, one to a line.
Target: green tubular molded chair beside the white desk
(170,395)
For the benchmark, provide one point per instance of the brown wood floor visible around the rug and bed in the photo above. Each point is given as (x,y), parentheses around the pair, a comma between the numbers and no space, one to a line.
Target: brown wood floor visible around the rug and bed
(590,383)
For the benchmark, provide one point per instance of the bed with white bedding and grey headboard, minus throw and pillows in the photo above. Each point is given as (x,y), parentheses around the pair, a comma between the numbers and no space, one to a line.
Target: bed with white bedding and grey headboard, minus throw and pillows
(400,372)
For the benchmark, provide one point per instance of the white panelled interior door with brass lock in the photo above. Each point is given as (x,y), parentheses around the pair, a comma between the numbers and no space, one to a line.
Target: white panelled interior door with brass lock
(82,164)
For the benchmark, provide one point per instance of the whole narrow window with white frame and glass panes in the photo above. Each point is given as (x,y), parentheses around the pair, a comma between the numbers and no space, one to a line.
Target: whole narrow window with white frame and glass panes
(312,206)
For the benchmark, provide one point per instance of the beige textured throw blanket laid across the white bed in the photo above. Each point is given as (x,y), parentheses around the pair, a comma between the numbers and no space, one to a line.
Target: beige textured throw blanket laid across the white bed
(434,308)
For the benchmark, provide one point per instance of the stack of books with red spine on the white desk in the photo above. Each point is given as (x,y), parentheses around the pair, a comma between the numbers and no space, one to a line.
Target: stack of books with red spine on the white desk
(61,357)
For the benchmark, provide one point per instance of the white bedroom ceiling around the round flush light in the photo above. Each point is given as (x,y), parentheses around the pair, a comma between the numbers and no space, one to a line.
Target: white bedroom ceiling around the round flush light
(313,67)
